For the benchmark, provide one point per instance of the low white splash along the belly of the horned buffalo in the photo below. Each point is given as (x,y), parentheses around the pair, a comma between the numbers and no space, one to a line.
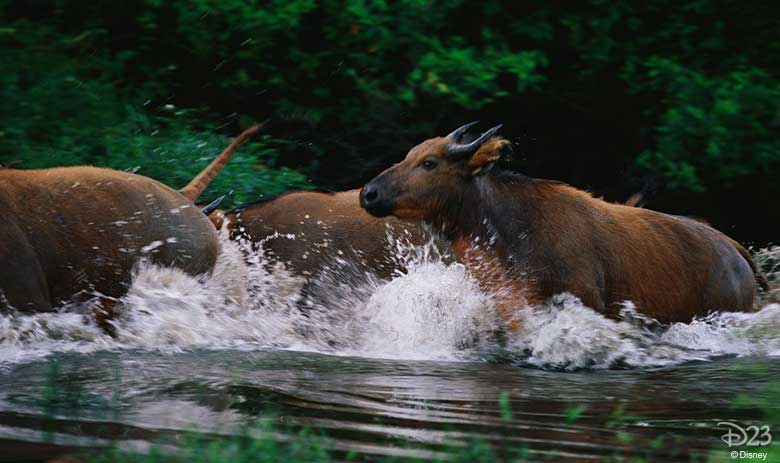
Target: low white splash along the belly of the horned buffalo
(565,334)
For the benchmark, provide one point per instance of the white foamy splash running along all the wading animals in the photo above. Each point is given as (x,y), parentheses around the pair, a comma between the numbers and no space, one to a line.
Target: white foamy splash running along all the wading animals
(435,310)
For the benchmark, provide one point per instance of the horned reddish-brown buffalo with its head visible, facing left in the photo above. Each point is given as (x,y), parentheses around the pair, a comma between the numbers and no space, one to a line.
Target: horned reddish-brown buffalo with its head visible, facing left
(528,239)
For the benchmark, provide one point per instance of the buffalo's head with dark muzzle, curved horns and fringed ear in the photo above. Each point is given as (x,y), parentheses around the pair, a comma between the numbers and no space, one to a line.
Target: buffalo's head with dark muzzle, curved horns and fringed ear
(433,176)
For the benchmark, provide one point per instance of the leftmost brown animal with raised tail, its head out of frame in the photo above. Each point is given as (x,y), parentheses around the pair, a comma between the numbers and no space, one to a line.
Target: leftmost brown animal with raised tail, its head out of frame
(68,233)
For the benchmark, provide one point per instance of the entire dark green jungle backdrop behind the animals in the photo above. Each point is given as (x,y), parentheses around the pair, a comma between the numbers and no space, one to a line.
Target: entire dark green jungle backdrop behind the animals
(679,98)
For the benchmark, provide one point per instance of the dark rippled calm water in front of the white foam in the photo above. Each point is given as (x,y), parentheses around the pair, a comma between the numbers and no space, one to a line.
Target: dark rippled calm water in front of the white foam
(382,407)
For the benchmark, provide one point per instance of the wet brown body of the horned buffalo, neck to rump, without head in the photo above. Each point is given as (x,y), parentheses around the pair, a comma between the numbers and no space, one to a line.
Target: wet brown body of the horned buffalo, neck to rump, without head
(672,268)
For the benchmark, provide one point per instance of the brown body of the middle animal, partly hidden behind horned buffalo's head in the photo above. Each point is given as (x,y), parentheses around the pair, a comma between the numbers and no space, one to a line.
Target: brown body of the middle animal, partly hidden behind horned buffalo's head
(306,230)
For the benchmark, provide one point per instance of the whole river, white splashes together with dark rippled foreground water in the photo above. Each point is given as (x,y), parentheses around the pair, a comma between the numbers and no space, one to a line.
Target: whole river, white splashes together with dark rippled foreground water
(408,367)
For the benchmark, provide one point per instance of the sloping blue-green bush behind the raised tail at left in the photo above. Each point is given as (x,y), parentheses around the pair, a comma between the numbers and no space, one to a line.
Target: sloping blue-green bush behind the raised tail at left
(54,113)
